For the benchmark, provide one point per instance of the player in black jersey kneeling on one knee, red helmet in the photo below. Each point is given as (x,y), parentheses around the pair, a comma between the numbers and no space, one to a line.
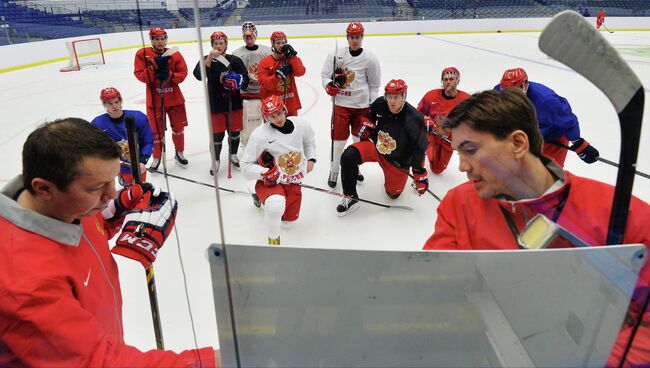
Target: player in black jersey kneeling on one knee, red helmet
(393,135)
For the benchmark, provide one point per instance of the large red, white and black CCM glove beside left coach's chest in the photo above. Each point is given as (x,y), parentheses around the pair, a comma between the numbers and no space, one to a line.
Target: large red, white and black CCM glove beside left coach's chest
(145,230)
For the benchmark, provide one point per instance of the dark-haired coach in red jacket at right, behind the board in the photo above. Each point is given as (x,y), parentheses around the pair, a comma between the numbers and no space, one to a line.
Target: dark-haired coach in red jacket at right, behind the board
(500,148)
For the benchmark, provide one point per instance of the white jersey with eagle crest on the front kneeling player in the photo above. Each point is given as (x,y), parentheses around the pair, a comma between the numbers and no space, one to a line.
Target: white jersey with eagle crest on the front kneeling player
(291,151)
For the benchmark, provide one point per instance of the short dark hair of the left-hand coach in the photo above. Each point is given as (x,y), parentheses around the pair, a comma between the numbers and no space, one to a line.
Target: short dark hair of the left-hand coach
(54,151)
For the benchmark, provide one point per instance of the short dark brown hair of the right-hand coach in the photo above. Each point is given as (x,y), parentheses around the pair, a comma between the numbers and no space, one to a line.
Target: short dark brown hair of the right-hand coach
(499,113)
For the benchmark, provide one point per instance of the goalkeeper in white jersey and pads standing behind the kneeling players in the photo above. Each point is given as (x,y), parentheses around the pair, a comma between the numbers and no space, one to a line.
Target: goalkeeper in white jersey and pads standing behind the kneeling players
(251,53)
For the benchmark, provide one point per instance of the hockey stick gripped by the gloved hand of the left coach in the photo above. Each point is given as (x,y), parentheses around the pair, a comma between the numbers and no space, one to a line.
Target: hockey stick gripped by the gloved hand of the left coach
(149,273)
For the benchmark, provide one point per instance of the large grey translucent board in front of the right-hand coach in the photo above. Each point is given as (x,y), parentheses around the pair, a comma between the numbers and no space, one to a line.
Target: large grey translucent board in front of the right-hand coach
(343,308)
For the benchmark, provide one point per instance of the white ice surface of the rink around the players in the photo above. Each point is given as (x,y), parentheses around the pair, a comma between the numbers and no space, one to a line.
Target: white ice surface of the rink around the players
(31,96)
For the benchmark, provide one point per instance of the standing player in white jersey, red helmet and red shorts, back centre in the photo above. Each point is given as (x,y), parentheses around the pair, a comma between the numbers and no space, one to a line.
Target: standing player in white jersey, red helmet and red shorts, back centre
(352,77)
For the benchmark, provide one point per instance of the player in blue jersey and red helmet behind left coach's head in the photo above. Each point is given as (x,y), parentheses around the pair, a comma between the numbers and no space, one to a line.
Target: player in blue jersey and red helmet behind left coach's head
(113,123)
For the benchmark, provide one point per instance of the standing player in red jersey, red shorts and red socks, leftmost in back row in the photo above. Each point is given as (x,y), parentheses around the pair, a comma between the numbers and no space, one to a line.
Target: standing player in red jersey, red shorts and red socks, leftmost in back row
(162,75)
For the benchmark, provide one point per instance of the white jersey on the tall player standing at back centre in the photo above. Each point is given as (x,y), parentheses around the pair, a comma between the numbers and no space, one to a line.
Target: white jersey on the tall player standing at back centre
(363,77)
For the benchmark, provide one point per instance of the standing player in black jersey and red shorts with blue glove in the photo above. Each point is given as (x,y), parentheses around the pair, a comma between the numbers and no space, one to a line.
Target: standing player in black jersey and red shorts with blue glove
(227,75)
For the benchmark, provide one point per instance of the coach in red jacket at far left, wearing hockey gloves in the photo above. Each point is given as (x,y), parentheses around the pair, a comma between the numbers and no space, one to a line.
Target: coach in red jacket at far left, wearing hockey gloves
(60,299)
